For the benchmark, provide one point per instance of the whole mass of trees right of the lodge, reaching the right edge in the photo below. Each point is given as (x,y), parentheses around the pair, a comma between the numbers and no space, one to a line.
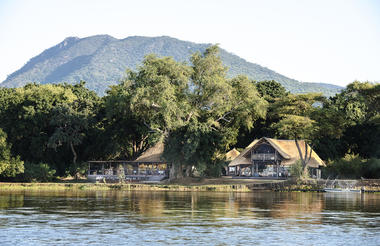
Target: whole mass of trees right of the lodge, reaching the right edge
(349,122)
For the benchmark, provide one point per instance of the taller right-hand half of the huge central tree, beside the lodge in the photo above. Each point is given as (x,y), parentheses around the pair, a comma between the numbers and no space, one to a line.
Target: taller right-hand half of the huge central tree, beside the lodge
(218,108)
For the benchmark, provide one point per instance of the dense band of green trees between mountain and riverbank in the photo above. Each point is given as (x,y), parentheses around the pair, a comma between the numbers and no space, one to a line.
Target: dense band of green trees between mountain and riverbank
(199,112)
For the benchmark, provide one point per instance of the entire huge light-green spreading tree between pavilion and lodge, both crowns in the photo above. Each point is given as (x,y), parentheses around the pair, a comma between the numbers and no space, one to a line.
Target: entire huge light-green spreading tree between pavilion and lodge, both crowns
(196,109)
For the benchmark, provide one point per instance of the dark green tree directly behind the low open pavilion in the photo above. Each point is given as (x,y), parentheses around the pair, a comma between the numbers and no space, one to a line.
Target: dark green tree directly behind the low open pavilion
(125,136)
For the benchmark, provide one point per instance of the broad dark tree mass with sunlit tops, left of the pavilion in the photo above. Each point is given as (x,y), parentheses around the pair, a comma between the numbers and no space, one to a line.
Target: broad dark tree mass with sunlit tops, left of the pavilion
(39,116)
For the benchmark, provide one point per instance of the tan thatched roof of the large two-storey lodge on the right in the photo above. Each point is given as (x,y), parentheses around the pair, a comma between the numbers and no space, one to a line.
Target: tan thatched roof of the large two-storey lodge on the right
(286,148)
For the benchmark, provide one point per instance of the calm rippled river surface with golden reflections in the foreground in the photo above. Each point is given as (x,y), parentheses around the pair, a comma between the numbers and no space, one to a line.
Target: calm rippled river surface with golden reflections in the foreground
(188,218)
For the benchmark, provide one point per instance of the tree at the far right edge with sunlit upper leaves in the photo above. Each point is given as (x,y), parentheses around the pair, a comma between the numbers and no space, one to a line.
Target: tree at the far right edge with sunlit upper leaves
(359,104)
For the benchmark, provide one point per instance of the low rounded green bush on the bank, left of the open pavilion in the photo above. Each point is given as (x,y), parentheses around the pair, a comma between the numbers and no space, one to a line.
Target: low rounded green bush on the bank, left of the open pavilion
(40,172)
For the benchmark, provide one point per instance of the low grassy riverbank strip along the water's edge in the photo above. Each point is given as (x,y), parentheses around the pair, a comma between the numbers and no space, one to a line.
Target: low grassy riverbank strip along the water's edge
(217,184)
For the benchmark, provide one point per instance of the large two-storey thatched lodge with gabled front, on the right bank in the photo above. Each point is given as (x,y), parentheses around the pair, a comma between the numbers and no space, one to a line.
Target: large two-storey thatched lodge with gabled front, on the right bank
(267,157)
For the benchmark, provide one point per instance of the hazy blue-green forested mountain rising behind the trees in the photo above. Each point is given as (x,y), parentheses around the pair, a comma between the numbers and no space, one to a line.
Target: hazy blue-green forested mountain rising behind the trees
(102,61)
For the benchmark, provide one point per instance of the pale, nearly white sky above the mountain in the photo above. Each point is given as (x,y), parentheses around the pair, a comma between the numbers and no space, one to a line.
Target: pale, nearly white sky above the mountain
(330,41)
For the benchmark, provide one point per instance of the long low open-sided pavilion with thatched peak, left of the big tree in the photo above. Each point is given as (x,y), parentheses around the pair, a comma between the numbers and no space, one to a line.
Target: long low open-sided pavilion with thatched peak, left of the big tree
(148,167)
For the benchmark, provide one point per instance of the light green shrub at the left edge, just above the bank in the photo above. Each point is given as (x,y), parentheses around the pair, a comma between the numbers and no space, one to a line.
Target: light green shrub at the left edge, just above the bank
(9,166)
